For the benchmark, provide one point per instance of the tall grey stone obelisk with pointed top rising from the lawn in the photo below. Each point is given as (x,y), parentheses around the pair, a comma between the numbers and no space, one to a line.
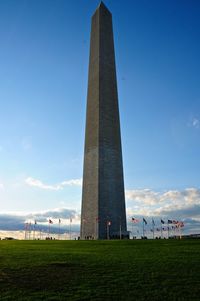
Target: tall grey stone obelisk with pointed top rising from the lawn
(103,202)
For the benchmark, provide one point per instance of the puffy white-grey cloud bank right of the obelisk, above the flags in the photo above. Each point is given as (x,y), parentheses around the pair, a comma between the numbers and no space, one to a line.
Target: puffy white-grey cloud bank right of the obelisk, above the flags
(172,202)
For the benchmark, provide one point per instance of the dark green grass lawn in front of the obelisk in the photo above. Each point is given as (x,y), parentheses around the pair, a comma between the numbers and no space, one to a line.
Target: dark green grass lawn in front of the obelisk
(100,270)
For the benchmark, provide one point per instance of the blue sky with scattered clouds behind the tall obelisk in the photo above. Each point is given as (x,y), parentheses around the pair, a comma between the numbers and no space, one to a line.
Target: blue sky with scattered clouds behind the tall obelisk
(44,57)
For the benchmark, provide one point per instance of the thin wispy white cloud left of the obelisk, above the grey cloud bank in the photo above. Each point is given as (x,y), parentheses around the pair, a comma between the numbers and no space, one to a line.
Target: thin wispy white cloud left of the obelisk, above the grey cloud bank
(37,183)
